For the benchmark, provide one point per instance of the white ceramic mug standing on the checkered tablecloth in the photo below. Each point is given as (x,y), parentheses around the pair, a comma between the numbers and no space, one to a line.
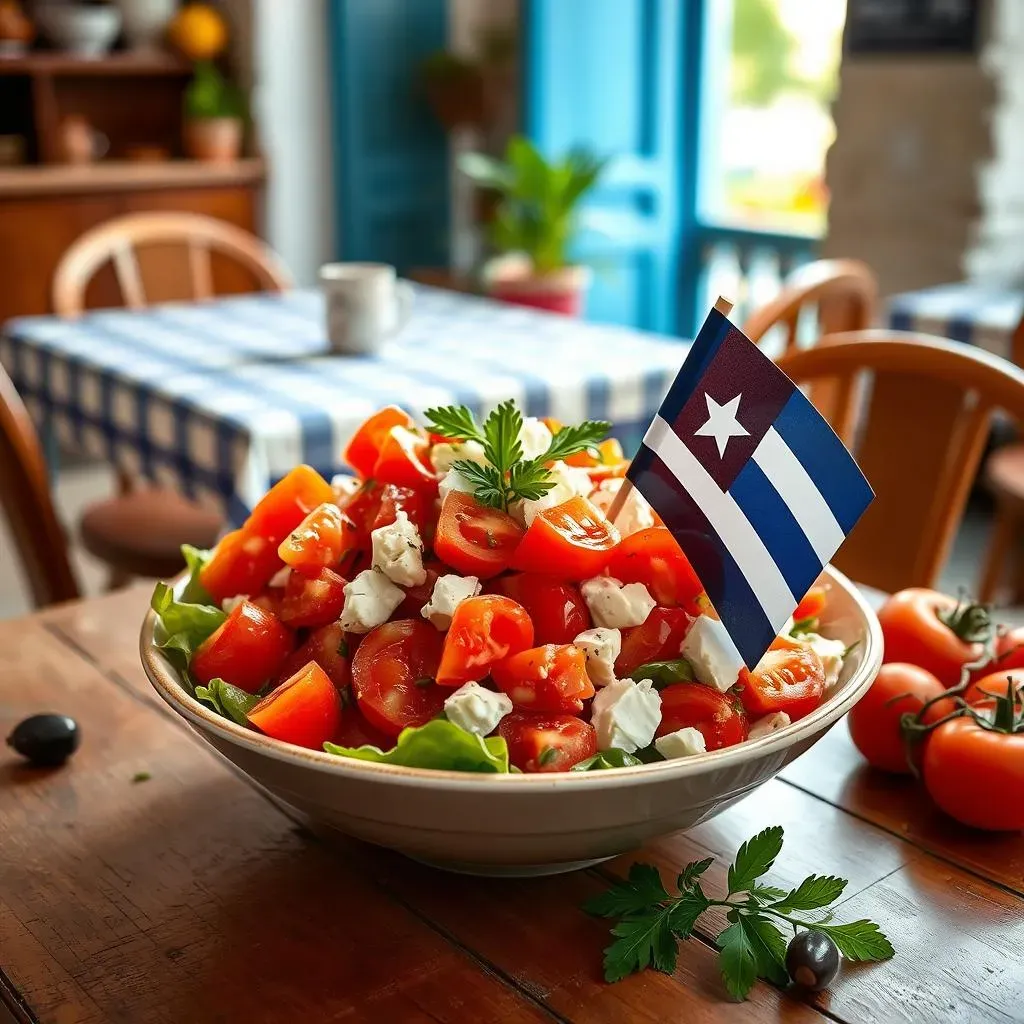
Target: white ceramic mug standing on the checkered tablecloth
(366,306)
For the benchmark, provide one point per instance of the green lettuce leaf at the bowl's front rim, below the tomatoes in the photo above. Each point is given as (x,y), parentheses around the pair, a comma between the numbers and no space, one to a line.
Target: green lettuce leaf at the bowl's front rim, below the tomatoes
(437,745)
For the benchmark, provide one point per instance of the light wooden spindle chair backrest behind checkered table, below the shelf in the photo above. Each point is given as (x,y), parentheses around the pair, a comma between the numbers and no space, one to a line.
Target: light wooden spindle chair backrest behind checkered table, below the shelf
(193,236)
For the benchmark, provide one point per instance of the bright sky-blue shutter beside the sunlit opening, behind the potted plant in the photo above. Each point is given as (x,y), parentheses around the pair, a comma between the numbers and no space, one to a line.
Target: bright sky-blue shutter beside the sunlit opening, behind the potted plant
(608,74)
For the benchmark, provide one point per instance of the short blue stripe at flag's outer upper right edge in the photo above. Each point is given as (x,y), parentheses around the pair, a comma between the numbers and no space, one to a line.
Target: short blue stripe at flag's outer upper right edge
(825,457)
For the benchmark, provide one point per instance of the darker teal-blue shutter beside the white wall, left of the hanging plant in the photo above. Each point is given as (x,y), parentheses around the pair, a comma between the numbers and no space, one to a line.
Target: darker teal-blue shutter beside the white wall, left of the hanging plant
(391,154)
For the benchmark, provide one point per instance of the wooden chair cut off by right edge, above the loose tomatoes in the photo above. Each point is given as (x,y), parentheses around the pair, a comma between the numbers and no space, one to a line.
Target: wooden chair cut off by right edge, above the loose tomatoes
(1005,477)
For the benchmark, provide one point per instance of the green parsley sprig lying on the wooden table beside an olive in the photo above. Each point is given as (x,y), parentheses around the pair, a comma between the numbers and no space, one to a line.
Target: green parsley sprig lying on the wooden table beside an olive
(653,922)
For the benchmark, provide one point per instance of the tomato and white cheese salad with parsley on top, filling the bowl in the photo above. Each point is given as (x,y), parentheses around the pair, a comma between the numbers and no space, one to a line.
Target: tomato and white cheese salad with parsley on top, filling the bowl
(462,602)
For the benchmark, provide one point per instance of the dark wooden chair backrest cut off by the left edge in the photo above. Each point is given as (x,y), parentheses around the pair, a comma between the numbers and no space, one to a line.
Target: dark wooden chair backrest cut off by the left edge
(25,497)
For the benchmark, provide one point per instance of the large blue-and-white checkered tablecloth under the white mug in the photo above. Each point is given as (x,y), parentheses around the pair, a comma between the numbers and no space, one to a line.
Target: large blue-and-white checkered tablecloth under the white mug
(221,400)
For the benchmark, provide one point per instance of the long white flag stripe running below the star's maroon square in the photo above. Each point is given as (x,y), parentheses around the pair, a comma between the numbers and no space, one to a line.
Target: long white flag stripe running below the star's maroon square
(728,520)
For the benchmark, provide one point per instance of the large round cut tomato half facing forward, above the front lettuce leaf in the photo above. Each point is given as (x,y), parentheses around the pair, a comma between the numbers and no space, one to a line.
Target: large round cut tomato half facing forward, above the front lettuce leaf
(394,674)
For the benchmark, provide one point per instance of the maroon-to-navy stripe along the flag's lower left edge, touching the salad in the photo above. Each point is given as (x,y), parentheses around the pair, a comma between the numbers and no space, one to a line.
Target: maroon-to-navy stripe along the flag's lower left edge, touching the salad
(721,577)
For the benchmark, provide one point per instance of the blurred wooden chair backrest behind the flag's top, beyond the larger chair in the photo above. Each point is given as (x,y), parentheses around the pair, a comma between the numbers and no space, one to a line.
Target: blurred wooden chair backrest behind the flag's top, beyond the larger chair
(845,292)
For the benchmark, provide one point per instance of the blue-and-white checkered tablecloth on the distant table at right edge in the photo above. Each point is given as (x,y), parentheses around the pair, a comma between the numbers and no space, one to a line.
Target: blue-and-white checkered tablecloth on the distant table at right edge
(970,313)
